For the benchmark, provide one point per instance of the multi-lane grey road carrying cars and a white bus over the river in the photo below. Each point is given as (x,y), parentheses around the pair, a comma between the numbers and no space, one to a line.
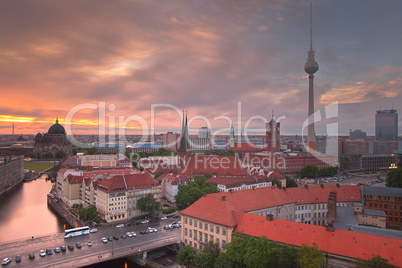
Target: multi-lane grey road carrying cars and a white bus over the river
(99,251)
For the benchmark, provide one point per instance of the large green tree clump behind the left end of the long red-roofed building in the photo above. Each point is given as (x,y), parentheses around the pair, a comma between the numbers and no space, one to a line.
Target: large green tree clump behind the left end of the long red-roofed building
(192,191)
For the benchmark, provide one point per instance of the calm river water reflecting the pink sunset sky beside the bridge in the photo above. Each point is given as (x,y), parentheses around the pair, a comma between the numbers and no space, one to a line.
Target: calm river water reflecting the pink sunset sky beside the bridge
(24,212)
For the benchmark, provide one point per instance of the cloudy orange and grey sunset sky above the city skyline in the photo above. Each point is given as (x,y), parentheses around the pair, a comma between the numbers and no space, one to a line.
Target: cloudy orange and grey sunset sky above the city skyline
(88,62)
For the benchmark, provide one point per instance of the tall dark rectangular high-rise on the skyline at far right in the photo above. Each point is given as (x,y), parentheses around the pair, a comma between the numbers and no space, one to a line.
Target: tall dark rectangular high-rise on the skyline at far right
(386,125)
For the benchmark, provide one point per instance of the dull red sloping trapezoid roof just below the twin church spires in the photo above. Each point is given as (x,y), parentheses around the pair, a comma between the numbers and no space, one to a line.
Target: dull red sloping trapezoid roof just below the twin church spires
(214,165)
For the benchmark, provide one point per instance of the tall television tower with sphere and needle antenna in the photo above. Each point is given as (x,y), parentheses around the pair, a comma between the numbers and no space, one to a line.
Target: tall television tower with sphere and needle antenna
(311,67)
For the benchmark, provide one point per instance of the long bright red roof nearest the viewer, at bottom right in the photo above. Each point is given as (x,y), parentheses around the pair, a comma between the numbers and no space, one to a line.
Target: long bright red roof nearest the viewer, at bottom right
(340,242)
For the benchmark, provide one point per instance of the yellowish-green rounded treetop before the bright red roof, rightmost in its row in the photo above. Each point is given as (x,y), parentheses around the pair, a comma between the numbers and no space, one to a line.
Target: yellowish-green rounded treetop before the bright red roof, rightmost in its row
(310,257)
